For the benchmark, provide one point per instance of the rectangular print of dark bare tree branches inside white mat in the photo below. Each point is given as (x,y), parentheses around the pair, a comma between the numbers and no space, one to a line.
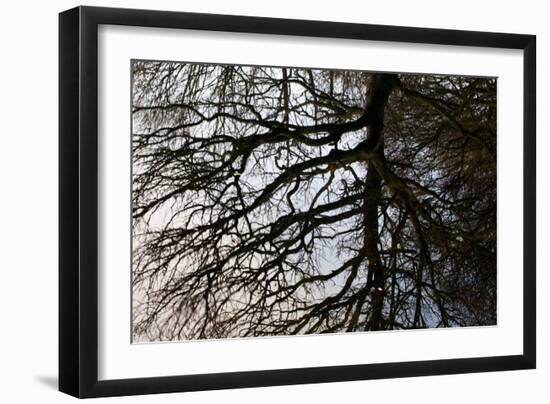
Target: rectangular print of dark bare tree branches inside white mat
(274,201)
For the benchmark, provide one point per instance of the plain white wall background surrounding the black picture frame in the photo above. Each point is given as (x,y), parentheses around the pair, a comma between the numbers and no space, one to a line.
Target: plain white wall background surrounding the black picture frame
(28,202)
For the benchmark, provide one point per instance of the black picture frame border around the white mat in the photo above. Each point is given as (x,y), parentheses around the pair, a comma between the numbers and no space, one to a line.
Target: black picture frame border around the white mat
(78,201)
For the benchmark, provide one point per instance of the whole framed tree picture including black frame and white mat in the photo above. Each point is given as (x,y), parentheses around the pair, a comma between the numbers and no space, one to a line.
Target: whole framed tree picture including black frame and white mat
(251,201)
